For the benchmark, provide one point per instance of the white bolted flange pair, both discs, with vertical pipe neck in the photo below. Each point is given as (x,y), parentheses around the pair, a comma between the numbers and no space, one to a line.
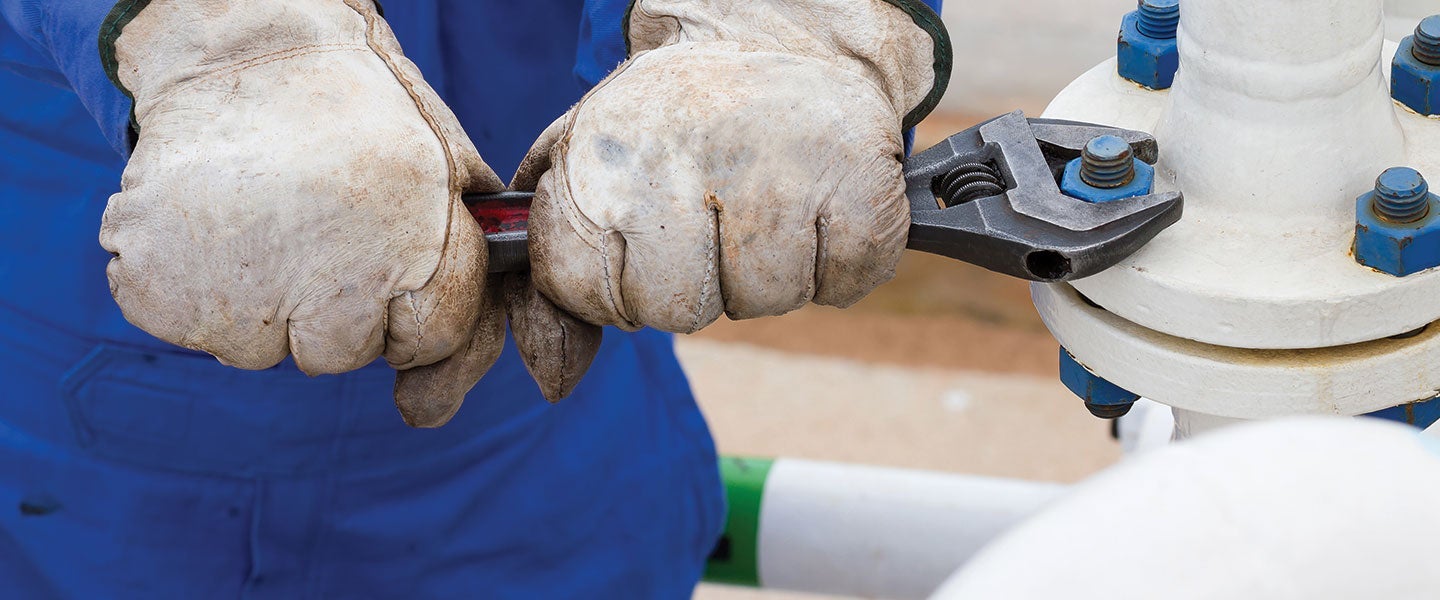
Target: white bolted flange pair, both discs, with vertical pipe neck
(1279,119)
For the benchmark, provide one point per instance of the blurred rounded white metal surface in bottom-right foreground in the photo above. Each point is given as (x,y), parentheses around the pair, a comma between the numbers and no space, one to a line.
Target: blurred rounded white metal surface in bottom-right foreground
(1292,510)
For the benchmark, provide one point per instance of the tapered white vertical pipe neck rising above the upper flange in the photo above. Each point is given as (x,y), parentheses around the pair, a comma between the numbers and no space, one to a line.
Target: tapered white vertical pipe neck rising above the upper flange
(1281,110)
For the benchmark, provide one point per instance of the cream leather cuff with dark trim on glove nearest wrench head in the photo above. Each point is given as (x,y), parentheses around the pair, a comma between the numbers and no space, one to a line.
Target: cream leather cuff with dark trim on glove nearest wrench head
(883,38)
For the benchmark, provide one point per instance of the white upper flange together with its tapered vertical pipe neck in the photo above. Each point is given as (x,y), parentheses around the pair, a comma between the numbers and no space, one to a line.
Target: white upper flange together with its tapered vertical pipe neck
(1279,119)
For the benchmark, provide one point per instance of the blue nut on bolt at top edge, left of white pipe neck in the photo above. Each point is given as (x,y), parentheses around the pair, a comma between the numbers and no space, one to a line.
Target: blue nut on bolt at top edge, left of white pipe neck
(1148,54)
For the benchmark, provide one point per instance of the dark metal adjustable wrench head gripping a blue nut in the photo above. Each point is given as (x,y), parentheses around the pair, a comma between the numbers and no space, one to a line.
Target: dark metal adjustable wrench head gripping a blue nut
(1030,229)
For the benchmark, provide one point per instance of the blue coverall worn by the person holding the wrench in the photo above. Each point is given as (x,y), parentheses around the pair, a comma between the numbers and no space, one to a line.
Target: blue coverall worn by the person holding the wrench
(135,470)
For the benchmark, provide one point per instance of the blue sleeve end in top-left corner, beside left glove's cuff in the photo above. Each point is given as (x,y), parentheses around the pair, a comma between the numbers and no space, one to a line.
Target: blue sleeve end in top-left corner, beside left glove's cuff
(58,42)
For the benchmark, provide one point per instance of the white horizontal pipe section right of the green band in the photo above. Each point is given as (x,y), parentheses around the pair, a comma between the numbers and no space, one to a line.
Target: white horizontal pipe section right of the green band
(882,533)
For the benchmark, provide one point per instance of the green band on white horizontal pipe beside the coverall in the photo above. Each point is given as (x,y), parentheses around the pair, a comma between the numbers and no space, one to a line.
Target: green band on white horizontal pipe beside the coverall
(735,560)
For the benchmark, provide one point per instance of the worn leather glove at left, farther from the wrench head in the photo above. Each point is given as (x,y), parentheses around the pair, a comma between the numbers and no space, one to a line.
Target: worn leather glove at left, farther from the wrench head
(296,191)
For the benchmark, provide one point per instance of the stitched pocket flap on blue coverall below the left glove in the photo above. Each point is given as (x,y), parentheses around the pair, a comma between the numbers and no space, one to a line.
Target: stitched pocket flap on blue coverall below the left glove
(189,414)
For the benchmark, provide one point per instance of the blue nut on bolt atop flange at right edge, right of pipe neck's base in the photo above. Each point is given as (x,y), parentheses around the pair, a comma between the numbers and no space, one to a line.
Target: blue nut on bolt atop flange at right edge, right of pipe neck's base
(1398,227)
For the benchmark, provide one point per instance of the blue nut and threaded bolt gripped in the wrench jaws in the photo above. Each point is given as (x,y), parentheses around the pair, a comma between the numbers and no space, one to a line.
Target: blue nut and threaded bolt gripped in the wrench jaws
(1107,172)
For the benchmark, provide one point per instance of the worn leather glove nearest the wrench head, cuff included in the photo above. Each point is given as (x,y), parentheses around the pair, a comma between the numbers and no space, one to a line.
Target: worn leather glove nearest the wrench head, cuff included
(745,160)
